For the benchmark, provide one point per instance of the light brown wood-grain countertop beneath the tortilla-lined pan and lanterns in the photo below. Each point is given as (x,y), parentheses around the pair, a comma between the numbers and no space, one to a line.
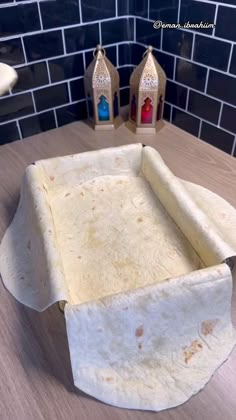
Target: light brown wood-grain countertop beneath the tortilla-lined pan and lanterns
(35,374)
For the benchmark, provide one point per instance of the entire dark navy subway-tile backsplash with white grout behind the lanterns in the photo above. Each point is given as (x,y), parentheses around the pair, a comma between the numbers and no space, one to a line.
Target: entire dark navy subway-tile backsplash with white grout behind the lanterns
(50,44)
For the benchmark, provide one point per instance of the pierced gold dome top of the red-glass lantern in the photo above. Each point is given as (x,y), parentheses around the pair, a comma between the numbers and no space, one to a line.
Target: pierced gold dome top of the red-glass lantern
(148,74)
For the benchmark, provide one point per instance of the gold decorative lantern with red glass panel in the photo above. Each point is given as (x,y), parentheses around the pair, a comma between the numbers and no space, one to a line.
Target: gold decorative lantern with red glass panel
(147,94)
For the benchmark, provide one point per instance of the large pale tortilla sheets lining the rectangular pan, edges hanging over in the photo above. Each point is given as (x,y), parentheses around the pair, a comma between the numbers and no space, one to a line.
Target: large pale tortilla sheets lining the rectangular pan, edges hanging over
(141,259)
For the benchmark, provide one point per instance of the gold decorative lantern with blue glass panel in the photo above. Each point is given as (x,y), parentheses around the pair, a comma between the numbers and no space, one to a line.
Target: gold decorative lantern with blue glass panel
(101,82)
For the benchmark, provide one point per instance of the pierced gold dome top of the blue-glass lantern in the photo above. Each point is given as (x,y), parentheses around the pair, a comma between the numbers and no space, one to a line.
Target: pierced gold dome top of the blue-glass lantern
(100,72)
